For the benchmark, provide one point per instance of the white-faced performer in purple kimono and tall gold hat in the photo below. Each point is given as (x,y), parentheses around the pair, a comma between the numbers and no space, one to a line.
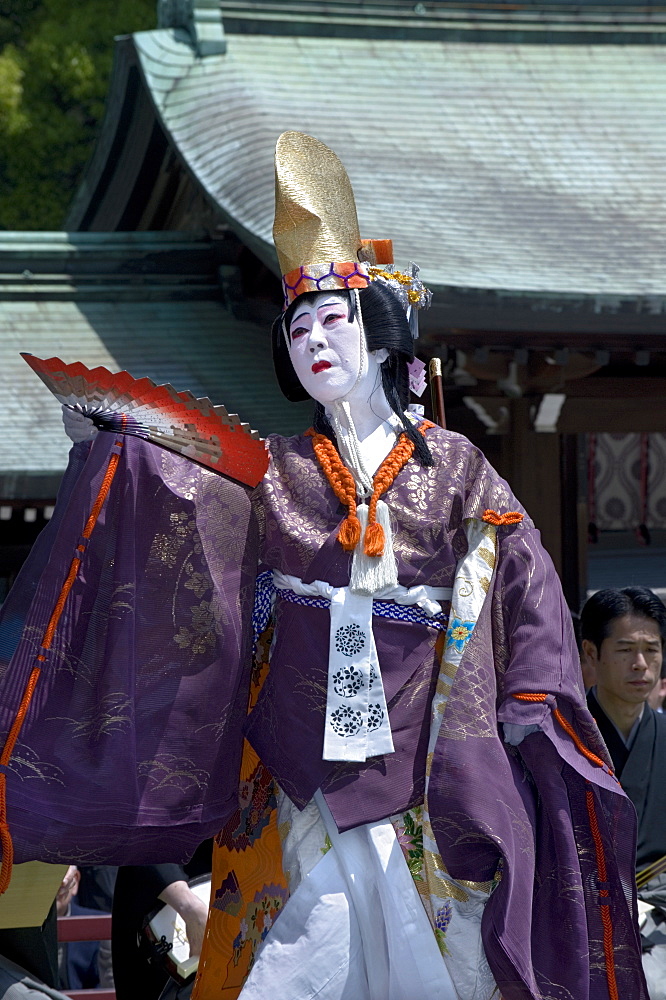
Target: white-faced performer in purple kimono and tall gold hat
(426,809)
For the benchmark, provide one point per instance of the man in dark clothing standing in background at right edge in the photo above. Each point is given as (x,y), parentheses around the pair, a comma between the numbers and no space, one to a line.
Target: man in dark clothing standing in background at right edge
(623,633)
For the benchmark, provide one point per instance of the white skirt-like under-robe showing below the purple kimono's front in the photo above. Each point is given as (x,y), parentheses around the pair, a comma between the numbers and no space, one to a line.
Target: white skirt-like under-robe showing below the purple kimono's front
(355,927)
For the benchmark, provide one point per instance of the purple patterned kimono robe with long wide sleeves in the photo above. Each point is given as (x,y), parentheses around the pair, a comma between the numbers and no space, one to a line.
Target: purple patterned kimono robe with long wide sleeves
(130,752)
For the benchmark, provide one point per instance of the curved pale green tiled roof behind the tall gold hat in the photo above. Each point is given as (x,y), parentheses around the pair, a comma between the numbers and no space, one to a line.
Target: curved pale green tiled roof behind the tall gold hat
(501,166)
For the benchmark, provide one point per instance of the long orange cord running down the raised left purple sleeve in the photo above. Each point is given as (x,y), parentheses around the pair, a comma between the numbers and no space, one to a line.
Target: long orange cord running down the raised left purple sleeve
(26,698)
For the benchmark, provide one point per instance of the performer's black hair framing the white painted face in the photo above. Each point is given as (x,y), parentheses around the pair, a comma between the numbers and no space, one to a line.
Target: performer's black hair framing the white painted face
(385,326)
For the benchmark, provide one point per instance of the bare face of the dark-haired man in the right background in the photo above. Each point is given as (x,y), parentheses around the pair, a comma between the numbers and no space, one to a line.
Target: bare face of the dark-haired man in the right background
(629,662)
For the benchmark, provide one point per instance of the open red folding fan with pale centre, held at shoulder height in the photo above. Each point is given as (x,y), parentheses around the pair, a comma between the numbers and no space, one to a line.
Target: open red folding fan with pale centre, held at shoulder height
(175,420)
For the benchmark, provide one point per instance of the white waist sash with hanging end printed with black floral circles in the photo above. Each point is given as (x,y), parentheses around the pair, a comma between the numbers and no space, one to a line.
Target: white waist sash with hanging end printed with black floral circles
(357,723)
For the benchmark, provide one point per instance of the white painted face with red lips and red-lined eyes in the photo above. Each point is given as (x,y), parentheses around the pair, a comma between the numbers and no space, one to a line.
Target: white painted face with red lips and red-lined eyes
(327,351)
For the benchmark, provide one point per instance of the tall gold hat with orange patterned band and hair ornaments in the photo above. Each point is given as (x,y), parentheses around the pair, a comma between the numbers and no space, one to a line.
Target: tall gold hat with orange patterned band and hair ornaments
(316,230)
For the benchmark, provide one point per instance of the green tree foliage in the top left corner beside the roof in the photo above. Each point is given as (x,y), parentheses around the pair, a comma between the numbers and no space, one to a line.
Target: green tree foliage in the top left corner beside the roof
(55,66)
